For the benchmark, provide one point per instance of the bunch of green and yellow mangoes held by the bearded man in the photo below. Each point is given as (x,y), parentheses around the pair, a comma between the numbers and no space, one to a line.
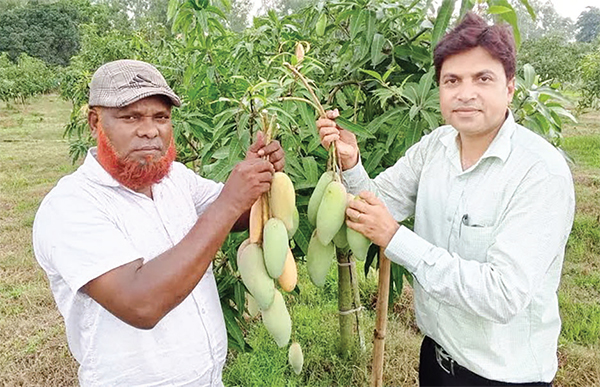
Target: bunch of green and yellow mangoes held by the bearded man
(266,256)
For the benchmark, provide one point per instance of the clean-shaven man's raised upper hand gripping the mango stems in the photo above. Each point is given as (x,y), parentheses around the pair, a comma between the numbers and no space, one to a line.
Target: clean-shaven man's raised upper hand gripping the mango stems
(345,141)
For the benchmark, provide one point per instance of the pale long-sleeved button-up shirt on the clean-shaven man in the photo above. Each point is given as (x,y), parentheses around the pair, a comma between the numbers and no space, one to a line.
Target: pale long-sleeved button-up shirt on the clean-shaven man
(487,248)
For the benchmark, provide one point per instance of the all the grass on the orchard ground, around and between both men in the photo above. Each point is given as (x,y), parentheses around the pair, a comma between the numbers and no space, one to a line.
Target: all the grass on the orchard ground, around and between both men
(33,349)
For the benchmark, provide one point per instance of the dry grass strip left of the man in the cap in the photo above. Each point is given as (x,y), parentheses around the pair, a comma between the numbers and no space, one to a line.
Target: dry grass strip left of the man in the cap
(33,156)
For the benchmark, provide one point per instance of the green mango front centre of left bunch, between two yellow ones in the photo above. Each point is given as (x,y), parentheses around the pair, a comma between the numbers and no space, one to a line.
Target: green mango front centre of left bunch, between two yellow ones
(275,246)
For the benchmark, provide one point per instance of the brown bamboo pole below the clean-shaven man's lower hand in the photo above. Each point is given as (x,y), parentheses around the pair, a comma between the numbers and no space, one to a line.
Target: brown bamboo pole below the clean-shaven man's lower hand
(381,321)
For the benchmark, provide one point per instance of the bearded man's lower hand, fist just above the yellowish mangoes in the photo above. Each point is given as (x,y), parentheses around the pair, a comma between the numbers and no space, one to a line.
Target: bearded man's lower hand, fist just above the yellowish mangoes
(248,180)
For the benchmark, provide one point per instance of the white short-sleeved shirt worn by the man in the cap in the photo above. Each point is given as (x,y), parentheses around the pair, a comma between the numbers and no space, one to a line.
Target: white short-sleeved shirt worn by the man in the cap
(88,225)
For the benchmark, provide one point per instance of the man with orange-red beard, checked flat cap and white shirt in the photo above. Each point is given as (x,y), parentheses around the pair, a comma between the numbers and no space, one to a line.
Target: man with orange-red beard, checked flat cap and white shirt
(127,241)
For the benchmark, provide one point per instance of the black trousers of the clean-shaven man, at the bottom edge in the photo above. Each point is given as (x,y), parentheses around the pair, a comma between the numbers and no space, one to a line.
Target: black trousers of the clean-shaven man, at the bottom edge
(432,374)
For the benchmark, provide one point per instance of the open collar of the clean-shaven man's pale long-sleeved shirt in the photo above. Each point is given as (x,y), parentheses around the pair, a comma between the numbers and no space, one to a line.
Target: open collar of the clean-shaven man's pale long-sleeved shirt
(500,146)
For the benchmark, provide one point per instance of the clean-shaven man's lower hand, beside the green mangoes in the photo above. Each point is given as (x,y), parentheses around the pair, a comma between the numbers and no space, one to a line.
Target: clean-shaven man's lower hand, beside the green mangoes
(372,219)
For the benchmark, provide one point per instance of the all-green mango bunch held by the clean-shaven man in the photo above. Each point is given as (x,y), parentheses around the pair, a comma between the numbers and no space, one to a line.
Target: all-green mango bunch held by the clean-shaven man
(327,212)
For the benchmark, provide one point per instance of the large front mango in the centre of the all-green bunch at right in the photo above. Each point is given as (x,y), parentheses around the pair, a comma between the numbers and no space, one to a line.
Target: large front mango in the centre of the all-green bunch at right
(332,212)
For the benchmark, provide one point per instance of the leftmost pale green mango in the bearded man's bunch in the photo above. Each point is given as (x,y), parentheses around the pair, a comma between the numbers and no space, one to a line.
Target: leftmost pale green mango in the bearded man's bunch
(254,275)
